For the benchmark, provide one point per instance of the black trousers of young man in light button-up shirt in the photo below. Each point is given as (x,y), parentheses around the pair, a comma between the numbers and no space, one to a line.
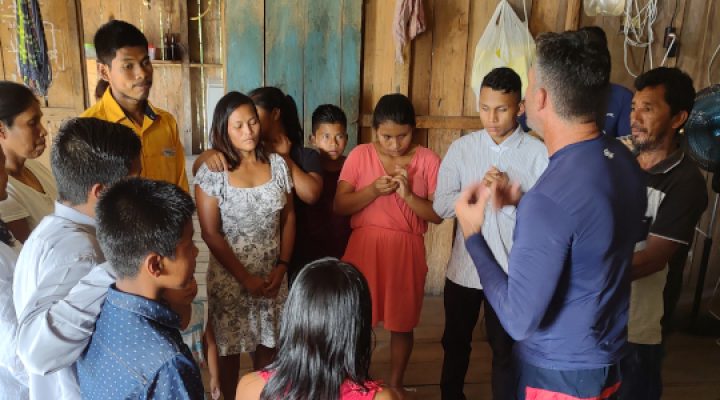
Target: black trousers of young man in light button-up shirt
(462,308)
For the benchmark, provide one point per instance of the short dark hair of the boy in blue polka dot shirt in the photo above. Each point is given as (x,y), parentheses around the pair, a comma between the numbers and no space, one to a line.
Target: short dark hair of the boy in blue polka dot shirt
(138,216)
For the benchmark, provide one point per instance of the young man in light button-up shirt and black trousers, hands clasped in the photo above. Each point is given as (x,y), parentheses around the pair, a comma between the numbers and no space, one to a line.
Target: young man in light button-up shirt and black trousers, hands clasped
(501,152)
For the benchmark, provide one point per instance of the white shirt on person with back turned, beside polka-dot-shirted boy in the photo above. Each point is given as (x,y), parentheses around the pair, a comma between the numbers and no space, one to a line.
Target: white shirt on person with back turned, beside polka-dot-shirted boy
(58,295)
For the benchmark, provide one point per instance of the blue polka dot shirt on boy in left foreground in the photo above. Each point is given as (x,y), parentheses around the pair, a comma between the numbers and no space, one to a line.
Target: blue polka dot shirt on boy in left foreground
(137,352)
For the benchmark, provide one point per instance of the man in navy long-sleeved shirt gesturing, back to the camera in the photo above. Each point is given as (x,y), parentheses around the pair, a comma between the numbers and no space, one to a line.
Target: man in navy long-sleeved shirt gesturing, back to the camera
(565,296)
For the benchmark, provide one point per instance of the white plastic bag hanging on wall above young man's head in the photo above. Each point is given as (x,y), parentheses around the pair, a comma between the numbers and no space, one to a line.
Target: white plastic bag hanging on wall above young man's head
(506,42)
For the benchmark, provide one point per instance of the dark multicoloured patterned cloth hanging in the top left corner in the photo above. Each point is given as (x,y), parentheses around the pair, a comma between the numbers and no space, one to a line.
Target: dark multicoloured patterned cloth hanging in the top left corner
(33,61)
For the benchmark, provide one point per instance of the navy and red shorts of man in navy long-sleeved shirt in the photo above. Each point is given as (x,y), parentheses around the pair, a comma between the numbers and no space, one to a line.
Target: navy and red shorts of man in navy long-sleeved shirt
(548,384)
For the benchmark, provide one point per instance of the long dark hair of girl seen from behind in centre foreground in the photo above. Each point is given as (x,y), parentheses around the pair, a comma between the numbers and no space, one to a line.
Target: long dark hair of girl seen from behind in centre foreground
(325,334)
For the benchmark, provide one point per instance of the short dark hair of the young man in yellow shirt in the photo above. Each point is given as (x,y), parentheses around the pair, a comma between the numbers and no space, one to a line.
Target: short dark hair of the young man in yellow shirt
(116,35)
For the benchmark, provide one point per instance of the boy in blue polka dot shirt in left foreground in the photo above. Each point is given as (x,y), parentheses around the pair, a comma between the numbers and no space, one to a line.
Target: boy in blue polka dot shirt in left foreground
(145,231)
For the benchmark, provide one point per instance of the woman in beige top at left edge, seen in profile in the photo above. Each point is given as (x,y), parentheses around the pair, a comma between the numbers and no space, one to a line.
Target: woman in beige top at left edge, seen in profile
(31,187)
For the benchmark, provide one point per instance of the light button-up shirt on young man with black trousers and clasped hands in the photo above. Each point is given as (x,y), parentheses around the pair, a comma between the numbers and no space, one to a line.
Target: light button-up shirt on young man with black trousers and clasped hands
(522,157)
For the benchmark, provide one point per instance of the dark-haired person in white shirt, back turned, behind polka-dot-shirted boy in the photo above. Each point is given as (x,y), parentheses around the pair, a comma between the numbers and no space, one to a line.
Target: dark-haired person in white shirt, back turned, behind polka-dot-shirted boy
(58,286)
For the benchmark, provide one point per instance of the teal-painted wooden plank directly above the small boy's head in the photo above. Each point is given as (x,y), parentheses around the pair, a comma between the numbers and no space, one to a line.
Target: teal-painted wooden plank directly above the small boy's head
(322,56)
